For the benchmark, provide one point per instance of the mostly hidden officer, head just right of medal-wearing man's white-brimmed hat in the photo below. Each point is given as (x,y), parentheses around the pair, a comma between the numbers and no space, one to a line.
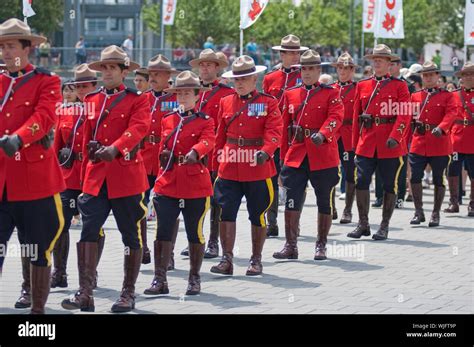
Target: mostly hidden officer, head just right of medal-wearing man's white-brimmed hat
(275,83)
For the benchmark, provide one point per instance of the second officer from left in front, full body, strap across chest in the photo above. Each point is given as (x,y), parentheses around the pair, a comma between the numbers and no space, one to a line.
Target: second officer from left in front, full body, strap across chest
(113,176)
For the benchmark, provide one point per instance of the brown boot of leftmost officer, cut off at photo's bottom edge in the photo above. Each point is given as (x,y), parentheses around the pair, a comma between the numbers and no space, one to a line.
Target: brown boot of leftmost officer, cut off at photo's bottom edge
(40,284)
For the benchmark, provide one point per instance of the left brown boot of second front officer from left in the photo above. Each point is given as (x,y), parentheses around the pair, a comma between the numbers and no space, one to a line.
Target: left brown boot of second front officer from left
(87,254)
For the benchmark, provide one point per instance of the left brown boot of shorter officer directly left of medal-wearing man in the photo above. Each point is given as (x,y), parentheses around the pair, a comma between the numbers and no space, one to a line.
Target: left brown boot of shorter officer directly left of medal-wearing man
(159,286)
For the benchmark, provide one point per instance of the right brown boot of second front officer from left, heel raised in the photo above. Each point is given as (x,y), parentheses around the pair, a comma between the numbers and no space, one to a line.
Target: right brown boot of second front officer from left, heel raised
(131,267)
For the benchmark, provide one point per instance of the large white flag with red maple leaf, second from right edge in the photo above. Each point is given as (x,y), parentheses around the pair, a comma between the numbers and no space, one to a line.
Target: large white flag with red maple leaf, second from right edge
(389,19)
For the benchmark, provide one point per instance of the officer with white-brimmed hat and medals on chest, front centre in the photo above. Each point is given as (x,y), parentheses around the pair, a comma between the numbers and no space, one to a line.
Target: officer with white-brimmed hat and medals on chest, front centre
(249,132)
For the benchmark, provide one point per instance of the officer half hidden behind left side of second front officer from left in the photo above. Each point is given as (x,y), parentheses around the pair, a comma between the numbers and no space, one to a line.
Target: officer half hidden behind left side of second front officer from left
(68,146)
